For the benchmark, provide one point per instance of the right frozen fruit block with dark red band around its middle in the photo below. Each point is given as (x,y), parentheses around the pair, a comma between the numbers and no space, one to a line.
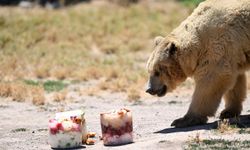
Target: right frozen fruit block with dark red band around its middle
(117,127)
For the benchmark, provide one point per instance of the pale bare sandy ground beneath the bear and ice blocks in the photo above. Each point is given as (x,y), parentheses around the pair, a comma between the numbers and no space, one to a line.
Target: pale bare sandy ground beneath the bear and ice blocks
(24,126)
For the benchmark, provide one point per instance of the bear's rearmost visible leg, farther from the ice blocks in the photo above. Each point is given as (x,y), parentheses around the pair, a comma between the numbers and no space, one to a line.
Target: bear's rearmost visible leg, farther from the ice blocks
(234,98)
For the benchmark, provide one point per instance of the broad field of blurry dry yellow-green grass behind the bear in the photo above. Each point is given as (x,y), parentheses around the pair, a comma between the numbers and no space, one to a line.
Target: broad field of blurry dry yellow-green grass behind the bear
(92,41)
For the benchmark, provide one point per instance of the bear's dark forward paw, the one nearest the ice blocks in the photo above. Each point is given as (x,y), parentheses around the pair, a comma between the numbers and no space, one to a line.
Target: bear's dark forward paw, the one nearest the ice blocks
(188,121)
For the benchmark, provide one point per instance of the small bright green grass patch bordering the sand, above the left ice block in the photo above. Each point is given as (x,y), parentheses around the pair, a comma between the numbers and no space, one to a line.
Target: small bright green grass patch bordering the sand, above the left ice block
(51,85)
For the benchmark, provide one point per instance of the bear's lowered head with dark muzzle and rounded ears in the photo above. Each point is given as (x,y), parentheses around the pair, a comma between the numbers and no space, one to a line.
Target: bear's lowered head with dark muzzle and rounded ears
(164,67)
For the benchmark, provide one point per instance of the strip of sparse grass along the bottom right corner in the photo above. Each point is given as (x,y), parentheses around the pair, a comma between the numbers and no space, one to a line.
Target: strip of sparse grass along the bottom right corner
(221,144)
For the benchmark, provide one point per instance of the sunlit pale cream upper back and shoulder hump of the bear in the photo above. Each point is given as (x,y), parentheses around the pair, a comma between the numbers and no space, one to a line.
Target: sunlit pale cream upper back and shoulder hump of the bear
(215,18)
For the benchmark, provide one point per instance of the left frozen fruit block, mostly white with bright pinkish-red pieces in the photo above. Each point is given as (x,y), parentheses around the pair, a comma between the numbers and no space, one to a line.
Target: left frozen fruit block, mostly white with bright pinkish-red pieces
(67,130)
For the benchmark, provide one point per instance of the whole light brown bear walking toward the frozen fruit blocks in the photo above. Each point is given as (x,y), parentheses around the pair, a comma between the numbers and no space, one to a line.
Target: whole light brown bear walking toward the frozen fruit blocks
(212,46)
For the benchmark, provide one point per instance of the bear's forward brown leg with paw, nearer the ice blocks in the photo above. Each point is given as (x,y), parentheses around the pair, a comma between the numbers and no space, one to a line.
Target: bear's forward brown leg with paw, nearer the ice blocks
(206,99)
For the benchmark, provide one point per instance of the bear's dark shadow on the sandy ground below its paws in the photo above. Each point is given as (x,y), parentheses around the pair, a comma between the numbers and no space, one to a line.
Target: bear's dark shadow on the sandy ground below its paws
(242,122)
